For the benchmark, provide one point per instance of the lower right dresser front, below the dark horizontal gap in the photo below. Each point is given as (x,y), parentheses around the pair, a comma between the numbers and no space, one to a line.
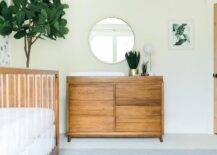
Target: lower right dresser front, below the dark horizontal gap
(138,118)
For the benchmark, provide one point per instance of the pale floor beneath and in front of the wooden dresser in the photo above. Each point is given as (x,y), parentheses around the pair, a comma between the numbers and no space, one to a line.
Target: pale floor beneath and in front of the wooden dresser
(172,145)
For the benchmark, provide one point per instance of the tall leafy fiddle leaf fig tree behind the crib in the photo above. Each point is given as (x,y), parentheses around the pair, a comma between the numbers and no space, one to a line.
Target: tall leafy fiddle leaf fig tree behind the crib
(31,20)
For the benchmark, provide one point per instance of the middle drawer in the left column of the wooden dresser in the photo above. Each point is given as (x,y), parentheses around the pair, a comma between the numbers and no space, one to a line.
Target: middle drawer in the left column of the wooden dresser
(101,108)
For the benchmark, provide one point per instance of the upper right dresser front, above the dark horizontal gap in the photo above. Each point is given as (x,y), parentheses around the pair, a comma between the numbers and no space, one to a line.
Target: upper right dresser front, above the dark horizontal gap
(141,95)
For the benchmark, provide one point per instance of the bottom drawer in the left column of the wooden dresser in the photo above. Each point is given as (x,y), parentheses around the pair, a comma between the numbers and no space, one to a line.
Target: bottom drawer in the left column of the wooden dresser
(91,124)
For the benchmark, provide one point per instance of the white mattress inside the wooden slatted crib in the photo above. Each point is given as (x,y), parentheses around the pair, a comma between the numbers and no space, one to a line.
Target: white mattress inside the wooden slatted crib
(19,127)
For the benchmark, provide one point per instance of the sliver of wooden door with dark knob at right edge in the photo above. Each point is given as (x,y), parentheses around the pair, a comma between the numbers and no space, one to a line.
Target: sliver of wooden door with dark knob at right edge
(215,68)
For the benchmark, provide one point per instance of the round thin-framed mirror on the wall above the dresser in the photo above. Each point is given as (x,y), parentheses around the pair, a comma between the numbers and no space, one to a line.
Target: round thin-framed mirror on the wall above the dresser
(110,39)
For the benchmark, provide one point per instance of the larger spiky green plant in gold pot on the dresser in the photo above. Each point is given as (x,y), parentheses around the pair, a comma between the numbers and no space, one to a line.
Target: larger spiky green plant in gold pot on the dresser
(133,58)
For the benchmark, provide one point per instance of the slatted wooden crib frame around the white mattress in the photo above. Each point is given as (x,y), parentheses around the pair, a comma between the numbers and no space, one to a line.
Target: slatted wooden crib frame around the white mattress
(31,88)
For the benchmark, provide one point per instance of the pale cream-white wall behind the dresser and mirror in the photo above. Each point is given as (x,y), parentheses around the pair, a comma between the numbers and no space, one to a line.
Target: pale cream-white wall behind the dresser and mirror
(188,74)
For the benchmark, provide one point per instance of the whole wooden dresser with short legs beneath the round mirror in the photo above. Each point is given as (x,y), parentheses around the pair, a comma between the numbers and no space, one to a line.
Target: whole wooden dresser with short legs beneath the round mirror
(115,107)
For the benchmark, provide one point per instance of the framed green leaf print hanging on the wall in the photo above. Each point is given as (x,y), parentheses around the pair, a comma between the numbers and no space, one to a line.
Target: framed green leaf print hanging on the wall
(181,35)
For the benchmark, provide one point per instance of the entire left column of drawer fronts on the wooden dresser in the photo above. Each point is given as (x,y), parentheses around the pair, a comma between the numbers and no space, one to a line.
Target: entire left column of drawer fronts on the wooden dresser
(91,108)
